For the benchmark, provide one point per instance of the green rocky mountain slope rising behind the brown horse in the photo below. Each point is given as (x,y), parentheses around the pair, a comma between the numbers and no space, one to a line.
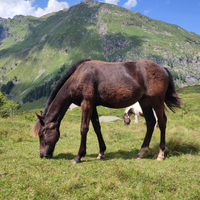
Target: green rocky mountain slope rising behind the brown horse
(33,50)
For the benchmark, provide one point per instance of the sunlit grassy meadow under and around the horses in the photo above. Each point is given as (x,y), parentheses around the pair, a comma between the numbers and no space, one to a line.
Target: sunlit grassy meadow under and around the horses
(23,175)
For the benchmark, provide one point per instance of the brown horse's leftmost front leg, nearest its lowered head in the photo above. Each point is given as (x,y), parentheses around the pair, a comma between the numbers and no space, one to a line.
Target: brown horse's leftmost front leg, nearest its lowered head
(86,116)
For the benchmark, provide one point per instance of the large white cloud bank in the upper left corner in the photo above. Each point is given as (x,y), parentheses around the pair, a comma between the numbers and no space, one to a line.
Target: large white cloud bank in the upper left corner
(10,8)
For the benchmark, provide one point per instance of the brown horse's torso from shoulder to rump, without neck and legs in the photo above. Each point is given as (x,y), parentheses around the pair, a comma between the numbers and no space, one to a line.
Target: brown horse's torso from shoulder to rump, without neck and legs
(118,85)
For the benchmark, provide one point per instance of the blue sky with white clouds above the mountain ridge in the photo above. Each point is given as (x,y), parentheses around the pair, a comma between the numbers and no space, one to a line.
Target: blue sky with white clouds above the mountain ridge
(184,13)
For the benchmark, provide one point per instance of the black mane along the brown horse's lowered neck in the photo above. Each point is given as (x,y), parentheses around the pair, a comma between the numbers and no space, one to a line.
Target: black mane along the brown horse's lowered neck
(61,82)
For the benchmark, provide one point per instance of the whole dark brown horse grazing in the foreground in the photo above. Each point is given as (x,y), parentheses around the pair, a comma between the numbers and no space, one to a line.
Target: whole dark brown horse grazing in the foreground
(90,83)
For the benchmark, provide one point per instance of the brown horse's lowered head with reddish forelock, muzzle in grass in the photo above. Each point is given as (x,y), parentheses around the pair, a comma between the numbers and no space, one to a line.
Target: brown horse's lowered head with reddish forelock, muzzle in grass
(48,134)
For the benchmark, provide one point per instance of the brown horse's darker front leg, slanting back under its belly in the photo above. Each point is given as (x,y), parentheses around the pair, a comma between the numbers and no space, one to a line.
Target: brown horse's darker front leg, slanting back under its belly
(97,129)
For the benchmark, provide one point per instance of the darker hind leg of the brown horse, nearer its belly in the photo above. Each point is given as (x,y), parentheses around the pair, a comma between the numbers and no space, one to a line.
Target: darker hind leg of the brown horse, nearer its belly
(150,123)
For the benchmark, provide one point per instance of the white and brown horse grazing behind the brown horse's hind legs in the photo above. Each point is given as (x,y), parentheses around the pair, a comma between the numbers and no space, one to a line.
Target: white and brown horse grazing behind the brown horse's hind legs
(136,110)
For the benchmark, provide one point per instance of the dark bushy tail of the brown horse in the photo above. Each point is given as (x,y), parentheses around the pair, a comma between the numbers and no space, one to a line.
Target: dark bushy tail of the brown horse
(171,98)
